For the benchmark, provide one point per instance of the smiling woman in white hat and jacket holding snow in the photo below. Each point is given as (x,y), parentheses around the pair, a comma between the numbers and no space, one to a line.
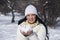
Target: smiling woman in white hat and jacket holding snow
(31,27)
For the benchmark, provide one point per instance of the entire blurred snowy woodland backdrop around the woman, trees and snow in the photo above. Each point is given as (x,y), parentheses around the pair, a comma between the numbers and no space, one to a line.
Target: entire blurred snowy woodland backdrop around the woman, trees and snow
(11,11)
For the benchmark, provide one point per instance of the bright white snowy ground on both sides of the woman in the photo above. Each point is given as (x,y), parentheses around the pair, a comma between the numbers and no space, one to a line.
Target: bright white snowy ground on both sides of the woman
(8,29)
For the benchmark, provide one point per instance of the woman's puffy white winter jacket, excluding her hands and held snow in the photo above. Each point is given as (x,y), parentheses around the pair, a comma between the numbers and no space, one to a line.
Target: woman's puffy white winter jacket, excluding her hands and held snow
(39,29)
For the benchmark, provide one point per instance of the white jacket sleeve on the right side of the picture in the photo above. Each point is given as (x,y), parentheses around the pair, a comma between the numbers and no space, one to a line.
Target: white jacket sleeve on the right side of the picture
(41,32)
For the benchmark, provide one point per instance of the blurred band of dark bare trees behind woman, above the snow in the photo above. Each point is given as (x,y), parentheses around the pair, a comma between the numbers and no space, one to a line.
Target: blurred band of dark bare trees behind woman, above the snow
(49,10)
